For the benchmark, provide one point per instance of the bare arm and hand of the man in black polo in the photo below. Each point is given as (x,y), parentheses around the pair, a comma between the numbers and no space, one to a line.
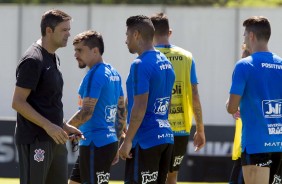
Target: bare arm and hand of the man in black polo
(21,105)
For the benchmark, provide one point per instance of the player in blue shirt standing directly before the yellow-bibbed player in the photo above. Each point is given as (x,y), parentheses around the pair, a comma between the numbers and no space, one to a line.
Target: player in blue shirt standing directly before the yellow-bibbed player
(148,144)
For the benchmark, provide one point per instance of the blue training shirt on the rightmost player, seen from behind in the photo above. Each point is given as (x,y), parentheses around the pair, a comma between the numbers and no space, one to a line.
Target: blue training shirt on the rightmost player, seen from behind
(258,80)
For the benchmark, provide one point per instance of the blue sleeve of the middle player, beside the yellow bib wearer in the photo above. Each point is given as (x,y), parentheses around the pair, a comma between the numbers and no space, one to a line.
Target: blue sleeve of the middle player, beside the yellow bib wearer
(141,78)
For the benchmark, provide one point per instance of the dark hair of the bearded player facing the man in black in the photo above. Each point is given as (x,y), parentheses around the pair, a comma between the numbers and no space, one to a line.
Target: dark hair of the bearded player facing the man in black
(90,39)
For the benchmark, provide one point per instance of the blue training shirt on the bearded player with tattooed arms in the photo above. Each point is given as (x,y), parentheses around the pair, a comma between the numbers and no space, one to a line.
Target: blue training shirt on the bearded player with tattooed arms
(101,82)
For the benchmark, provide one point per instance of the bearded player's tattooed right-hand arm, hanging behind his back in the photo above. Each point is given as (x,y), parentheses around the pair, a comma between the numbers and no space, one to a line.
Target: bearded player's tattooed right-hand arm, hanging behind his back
(120,118)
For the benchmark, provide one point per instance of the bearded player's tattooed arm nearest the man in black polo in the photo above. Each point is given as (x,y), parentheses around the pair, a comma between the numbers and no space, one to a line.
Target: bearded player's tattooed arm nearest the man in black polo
(85,113)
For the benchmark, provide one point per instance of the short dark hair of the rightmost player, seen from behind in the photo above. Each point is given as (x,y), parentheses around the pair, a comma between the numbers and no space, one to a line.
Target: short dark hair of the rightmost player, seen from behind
(260,26)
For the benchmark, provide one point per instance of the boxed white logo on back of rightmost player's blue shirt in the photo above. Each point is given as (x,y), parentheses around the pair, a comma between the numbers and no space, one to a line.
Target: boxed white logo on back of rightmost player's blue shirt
(272,108)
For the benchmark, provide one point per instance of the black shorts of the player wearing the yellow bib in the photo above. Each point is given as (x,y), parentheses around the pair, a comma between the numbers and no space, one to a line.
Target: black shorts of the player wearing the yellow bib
(179,151)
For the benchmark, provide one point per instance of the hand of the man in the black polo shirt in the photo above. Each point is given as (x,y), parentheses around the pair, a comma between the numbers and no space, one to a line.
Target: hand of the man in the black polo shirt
(56,133)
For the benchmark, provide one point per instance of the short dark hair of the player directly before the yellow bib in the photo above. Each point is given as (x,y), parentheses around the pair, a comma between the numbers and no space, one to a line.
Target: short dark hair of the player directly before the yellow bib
(143,25)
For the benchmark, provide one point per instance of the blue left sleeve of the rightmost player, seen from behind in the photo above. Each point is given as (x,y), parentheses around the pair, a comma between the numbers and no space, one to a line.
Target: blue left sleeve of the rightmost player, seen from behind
(239,78)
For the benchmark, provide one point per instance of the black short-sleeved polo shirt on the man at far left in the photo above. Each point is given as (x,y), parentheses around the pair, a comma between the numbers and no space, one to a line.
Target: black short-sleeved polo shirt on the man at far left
(38,71)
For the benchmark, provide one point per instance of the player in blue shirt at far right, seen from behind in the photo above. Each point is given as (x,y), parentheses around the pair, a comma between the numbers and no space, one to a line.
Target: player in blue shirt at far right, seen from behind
(256,88)
